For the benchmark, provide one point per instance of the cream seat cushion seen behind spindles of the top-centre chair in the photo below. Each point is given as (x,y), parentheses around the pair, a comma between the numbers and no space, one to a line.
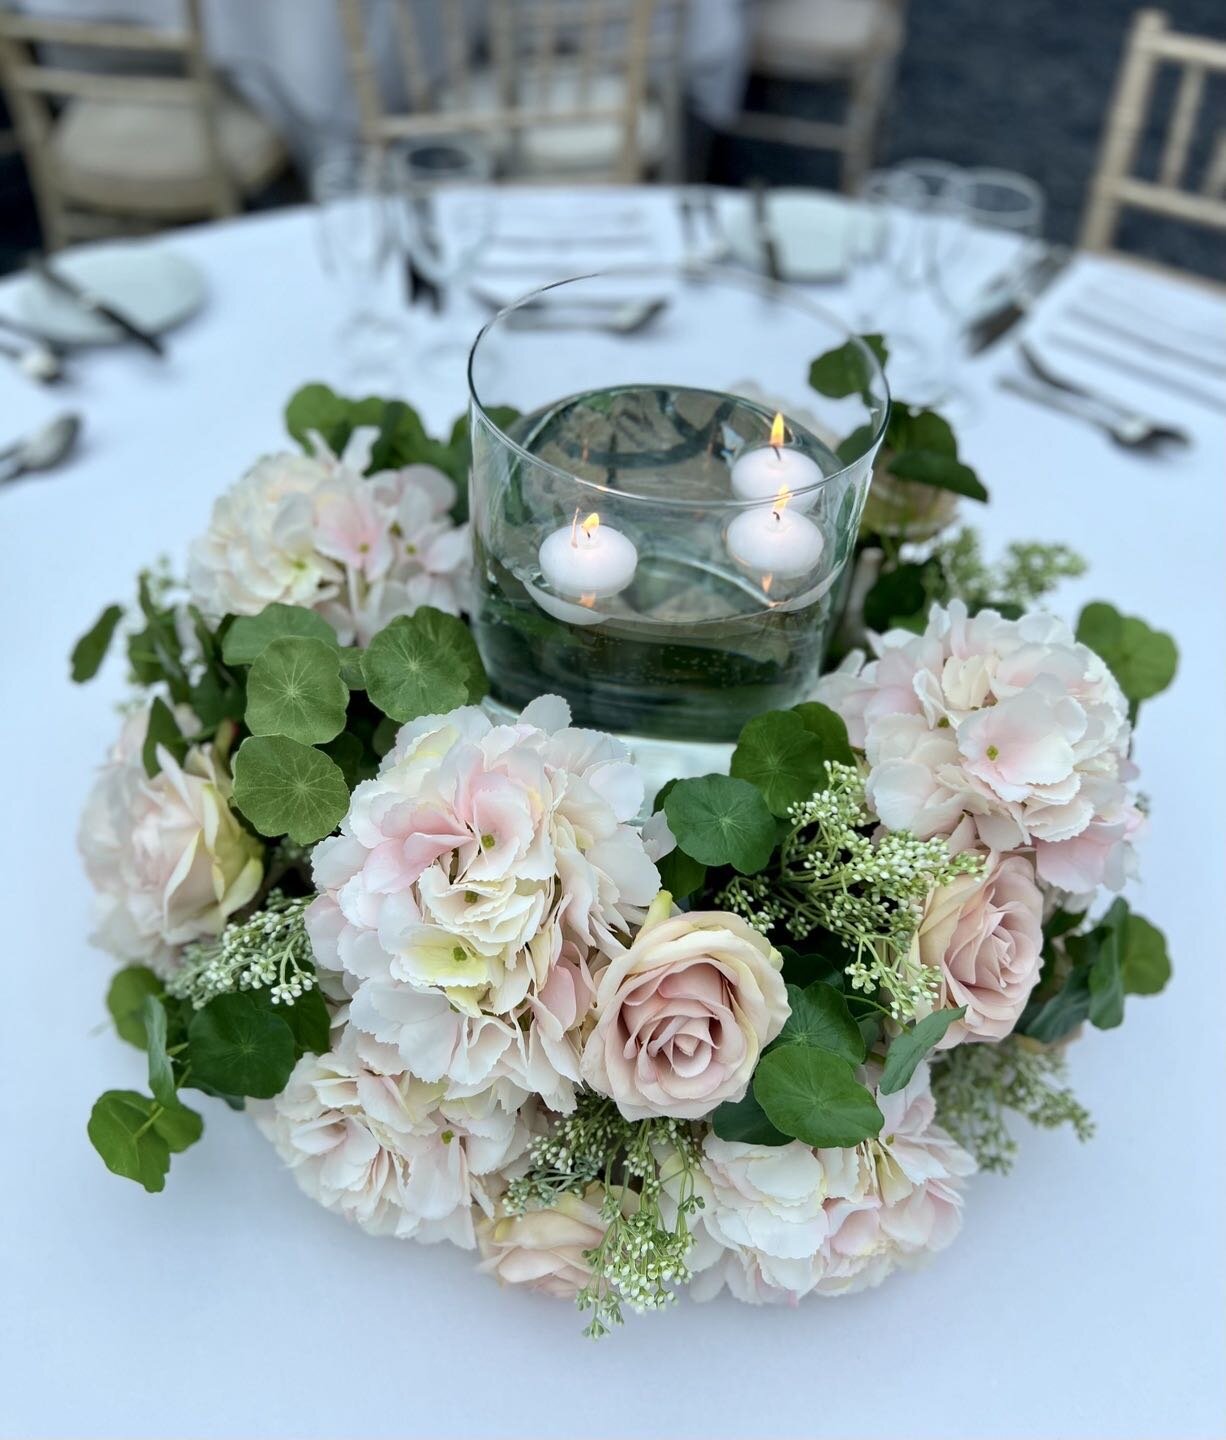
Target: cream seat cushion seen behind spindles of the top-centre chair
(580,146)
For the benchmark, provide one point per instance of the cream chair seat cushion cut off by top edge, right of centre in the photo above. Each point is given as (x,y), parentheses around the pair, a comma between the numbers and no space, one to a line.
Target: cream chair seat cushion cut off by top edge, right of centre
(802,38)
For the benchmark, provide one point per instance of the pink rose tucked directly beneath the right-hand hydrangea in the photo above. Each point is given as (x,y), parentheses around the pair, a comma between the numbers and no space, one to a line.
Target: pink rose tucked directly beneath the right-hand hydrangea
(985,934)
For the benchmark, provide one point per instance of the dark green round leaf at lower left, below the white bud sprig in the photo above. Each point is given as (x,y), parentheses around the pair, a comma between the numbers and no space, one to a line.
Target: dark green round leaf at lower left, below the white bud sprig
(240,1046)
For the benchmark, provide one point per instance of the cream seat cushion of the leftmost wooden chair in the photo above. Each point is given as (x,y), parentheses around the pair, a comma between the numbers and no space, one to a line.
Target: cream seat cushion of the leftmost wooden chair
(149,158)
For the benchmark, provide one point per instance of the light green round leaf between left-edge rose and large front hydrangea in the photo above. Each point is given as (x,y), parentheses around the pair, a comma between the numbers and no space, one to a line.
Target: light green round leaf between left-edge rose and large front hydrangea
(286,788)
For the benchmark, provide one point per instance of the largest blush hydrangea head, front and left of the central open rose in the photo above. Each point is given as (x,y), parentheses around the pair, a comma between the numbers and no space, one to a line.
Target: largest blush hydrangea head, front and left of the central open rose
(476,885)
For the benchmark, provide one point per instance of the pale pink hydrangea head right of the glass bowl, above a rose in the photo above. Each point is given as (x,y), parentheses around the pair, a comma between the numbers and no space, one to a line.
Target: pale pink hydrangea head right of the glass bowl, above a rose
(998,734)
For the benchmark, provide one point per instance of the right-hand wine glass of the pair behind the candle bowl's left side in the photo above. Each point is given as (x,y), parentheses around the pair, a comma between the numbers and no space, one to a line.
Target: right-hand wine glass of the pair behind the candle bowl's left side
(449,217)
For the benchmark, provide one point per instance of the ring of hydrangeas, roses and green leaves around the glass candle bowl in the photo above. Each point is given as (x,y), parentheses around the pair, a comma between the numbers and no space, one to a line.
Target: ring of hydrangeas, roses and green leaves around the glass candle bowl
(753,1035)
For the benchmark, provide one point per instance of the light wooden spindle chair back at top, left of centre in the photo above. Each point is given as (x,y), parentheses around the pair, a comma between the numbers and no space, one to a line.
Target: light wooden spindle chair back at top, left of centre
(502,68)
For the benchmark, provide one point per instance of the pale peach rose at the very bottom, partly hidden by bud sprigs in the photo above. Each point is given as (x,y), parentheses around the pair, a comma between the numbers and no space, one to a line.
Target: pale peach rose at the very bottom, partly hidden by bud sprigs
(547,1249)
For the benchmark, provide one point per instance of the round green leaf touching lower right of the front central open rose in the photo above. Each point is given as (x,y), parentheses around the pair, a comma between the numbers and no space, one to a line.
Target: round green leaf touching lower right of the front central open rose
(816,1098)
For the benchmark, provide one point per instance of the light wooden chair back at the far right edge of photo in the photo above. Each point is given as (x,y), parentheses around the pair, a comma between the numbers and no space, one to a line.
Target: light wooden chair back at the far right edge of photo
(1152,47)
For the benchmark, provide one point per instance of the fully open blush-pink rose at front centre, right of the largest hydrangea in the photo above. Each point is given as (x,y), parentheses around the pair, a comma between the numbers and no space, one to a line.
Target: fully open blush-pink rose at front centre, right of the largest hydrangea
(684,1014)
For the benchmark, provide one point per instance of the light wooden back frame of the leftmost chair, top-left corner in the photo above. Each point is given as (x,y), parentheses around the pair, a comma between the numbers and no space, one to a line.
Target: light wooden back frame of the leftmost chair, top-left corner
(50,63)
